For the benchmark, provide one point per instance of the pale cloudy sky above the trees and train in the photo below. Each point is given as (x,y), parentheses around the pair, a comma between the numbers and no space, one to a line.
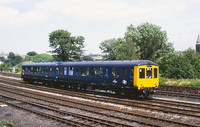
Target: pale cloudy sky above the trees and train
(25,24)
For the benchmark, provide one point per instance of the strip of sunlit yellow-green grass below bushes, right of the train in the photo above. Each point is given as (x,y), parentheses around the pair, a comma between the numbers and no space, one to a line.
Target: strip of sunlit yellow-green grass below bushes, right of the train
(180,82)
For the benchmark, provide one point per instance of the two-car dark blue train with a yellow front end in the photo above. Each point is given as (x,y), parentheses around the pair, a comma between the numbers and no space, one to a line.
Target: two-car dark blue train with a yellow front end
(127,77)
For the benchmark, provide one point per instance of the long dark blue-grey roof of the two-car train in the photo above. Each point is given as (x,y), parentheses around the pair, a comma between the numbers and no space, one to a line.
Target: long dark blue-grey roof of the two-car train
(96,63)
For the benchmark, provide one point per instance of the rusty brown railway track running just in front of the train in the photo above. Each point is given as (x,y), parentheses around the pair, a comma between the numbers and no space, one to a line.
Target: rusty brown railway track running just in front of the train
(170,107)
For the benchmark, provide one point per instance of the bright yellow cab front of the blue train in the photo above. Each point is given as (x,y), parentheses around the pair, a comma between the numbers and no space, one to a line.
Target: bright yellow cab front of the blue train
(146,79)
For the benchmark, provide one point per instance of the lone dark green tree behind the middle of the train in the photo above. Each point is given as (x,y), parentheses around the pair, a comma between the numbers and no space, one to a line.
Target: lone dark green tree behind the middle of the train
(66,47)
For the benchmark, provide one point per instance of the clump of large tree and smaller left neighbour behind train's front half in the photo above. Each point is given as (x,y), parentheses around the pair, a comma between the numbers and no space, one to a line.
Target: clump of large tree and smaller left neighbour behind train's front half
(146,41)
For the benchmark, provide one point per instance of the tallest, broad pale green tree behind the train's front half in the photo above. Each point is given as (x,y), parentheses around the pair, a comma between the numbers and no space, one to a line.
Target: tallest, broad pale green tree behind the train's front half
(150,41)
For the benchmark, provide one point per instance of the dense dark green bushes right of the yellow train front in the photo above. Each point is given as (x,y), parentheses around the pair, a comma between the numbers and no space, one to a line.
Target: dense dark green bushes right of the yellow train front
(180,66)
